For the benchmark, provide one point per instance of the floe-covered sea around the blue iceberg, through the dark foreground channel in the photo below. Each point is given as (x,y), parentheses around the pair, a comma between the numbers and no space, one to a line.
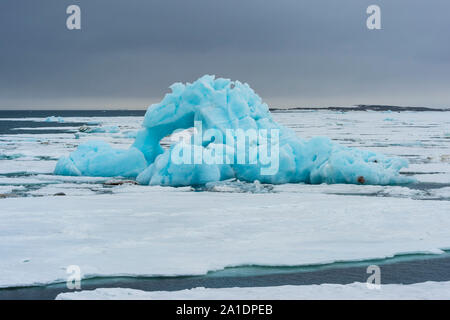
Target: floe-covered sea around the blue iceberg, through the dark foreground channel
(231,234)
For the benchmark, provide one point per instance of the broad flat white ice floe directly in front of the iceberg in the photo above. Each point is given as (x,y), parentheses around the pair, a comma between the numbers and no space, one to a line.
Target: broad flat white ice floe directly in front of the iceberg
(157,231)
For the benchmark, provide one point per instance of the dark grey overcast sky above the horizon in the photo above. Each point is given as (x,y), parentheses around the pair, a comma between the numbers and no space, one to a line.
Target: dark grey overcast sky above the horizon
(292,52)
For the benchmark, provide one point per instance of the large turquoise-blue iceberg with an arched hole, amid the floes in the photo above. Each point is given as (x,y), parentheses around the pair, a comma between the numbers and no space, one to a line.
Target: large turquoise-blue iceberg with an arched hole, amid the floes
(234,137)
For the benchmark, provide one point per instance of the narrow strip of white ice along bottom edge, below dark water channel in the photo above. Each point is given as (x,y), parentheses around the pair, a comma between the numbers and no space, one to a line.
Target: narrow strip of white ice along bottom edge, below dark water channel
(354,291)
